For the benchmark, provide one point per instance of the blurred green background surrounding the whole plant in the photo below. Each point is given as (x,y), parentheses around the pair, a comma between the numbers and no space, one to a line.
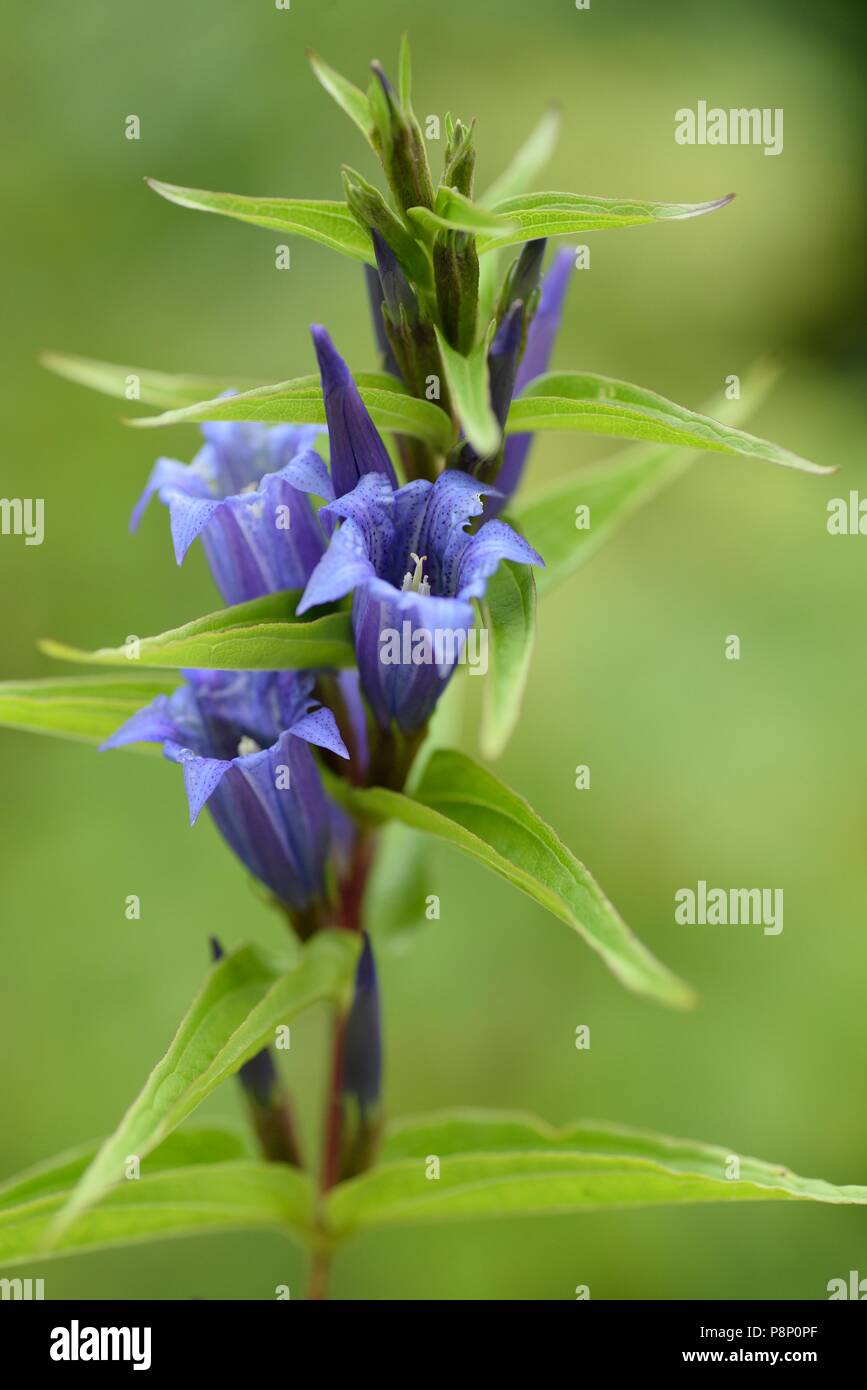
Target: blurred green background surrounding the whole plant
(738,774)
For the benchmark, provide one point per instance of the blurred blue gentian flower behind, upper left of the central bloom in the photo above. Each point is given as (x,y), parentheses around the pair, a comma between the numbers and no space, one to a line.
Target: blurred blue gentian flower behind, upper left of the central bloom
(259,533)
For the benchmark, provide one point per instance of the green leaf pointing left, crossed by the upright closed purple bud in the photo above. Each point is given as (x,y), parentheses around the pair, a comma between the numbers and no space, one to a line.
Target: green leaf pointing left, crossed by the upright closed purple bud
(301,402)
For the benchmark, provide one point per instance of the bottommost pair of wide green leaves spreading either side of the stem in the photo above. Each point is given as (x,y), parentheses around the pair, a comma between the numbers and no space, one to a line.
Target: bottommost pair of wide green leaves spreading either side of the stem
(461,1166)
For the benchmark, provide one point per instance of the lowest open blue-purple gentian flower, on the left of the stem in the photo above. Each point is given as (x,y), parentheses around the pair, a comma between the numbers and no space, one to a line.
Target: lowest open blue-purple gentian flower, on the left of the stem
(242,740)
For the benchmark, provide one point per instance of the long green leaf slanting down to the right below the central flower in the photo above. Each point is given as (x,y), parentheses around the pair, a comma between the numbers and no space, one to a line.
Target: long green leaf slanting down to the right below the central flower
(468,807)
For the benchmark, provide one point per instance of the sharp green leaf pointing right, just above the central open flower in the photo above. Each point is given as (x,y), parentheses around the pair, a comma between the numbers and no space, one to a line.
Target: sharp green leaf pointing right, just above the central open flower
(572,401)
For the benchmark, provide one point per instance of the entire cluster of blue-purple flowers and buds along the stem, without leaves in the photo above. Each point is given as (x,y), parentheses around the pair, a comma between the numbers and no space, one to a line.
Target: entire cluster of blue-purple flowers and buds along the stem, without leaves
(402,536)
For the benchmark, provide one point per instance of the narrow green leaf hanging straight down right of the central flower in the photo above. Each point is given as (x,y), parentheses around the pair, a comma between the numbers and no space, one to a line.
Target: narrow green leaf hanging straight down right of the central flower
(509,614)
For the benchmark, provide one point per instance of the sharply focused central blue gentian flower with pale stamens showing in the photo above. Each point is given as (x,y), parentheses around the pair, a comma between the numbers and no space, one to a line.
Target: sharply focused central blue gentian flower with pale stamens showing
(412,566)
